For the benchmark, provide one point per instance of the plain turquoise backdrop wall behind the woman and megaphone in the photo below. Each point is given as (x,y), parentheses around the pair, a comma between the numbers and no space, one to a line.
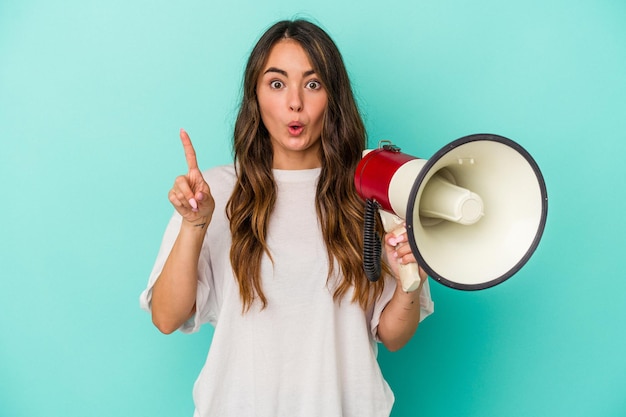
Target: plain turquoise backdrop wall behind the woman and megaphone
(93,93)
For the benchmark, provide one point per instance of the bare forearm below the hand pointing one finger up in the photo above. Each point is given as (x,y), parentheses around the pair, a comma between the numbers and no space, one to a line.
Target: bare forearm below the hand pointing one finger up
(174,293)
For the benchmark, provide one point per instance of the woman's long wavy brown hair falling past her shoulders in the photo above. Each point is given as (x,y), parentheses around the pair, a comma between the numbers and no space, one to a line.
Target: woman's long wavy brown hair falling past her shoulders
(339,208)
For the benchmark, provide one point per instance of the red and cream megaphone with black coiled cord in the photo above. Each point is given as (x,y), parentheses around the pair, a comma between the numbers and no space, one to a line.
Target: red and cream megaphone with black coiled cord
(474,212)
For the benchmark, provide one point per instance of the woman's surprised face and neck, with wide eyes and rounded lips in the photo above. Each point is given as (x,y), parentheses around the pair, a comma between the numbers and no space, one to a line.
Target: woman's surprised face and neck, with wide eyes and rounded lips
(292,102)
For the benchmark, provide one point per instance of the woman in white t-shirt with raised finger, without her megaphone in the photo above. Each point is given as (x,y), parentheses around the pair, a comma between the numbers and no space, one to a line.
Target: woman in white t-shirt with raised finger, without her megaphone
(269,249)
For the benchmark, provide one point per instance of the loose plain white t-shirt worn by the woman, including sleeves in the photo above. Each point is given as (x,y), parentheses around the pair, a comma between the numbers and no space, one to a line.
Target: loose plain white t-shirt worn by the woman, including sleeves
(304,355)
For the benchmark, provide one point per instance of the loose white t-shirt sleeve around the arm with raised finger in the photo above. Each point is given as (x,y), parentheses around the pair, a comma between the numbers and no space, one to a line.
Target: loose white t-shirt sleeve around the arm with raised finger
(204,312)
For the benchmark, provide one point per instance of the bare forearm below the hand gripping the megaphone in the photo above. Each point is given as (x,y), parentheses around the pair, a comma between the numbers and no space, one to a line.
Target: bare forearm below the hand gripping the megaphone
(400,319)
